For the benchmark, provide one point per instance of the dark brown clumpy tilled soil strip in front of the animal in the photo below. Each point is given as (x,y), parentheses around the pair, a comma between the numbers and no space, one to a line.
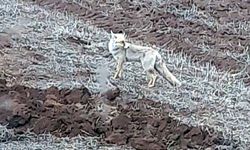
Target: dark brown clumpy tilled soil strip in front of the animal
(143,124)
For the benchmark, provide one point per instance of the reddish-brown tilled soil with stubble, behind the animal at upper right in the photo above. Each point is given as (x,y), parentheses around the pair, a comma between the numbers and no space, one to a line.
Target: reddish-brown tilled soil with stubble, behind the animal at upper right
(161,25)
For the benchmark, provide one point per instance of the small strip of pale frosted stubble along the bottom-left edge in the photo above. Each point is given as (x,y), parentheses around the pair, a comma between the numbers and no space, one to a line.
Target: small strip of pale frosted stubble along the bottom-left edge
(49,142)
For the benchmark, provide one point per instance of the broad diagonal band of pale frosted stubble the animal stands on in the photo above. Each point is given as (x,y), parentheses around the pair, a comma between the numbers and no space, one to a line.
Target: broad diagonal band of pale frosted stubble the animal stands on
(43,55)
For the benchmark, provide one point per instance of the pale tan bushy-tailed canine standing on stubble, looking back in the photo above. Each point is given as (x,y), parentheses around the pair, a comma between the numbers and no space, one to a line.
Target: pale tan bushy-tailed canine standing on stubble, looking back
(150,59)
